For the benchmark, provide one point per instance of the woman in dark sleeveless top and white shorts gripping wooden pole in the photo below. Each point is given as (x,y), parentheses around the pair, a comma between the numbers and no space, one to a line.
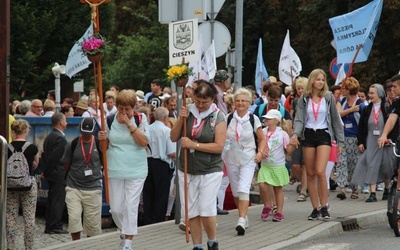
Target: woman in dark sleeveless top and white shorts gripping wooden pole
(204,141)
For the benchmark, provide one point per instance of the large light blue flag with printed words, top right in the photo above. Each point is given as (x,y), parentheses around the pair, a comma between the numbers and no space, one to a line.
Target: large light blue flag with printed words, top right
(354,29)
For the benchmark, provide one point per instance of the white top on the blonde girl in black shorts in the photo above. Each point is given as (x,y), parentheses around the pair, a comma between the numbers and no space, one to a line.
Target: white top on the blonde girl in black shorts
(322,112)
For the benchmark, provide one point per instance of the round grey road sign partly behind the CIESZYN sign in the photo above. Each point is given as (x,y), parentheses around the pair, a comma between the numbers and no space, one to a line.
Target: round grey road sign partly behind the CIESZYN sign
(222,37)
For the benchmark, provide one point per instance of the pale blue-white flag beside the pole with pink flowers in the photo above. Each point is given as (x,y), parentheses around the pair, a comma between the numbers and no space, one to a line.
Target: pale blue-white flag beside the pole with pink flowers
(76,61)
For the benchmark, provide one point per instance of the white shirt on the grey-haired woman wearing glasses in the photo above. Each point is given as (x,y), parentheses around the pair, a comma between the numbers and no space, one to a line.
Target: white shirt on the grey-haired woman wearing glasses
(242,149)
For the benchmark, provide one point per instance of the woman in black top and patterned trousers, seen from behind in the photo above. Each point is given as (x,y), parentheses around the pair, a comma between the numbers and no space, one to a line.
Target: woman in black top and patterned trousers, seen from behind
(27,198)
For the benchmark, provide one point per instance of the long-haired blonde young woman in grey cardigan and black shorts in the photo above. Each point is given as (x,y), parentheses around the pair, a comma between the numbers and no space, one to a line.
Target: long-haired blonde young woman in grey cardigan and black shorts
(317,124)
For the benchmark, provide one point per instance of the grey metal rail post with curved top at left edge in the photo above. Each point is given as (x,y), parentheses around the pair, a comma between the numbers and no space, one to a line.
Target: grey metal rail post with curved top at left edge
(3,192)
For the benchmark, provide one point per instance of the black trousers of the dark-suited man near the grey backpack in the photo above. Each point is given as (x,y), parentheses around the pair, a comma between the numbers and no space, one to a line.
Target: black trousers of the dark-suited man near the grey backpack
(55,205)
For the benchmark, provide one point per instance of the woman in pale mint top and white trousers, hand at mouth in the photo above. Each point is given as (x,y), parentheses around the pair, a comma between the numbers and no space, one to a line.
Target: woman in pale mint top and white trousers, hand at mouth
(127,163)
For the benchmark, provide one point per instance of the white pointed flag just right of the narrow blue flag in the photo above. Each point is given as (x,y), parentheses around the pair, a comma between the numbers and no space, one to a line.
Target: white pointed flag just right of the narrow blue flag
(289,63)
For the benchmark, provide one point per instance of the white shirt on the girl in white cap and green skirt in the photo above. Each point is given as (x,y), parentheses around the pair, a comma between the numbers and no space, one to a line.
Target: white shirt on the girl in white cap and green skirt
(276,147)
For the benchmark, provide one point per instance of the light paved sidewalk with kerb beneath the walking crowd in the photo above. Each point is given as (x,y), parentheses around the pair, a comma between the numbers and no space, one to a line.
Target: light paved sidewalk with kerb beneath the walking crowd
(260,235)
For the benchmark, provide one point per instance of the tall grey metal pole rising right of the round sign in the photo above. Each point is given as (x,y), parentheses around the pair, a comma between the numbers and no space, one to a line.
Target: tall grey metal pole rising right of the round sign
(239,43)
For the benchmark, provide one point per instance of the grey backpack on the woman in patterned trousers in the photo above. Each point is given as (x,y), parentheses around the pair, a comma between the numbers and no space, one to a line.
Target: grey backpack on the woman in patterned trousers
(18,174)
